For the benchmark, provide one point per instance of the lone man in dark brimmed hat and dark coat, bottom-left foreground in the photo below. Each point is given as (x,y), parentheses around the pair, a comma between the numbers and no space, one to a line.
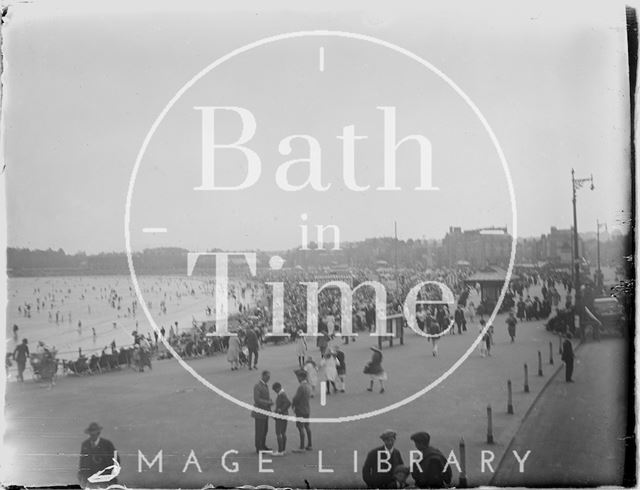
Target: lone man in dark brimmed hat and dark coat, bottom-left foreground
(96,454)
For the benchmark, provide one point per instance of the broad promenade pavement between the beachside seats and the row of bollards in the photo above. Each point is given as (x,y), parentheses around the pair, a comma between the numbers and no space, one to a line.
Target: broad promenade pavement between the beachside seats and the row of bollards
(167,409)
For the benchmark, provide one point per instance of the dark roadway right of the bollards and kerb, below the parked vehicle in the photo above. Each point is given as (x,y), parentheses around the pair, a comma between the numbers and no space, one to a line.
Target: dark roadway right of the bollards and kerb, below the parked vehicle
(576,431)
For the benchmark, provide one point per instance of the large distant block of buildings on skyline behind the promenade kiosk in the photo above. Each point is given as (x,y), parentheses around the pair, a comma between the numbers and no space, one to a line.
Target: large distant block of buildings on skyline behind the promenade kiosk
(481,247)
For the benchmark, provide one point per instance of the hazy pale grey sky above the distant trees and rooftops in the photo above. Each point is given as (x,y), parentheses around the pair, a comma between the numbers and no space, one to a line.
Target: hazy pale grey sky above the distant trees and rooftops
(83,87)
